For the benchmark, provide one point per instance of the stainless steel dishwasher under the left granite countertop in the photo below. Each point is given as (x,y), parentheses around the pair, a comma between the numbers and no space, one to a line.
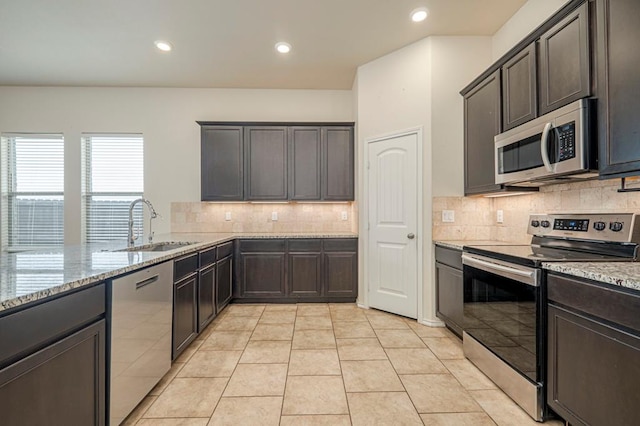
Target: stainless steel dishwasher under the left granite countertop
(141,314)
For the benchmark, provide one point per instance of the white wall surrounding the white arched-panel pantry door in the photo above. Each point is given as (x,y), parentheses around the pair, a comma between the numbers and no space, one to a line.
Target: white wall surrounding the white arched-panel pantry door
(418,86)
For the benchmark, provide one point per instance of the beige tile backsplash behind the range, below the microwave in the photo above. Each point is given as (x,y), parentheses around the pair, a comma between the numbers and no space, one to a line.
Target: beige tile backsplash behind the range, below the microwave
(475,217)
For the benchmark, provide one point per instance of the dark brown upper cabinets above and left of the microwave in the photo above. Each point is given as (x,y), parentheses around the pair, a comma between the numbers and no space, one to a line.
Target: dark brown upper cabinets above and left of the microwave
(547,70)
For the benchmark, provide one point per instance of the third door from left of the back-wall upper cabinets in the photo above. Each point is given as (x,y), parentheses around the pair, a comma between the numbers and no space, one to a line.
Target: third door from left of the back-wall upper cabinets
(304,163)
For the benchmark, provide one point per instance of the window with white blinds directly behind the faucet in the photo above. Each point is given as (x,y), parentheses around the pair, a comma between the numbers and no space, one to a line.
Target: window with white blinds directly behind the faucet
(113,178)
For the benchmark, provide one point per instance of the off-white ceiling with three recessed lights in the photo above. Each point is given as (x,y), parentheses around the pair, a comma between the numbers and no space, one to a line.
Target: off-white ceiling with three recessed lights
(220,43)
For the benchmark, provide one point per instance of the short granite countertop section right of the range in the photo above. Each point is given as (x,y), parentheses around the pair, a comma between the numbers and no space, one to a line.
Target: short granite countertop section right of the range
(623,274)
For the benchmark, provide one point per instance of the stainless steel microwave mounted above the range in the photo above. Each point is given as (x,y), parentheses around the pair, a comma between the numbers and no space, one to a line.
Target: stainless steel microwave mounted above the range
(558,146)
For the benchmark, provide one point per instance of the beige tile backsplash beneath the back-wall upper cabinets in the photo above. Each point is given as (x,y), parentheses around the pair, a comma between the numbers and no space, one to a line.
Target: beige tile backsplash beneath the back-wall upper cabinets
(257,217)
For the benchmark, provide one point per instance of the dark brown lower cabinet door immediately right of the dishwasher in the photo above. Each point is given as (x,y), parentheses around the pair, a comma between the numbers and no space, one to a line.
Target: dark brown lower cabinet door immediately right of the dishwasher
(185,313)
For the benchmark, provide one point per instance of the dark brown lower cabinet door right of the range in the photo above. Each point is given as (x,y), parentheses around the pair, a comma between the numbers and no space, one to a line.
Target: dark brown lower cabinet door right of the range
(594,370)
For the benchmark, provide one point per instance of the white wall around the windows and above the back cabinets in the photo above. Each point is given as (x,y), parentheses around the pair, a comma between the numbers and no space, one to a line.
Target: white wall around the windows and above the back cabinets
(166,118)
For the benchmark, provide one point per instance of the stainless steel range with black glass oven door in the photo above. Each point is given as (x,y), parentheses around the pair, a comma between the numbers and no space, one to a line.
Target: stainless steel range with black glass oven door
(505,295)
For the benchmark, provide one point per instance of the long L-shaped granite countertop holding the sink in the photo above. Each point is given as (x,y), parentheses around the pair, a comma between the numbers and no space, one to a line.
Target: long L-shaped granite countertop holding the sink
(33,275)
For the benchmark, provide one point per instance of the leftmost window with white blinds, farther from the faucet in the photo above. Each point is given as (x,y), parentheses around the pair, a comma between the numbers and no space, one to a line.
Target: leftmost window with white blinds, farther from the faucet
(33,190)
